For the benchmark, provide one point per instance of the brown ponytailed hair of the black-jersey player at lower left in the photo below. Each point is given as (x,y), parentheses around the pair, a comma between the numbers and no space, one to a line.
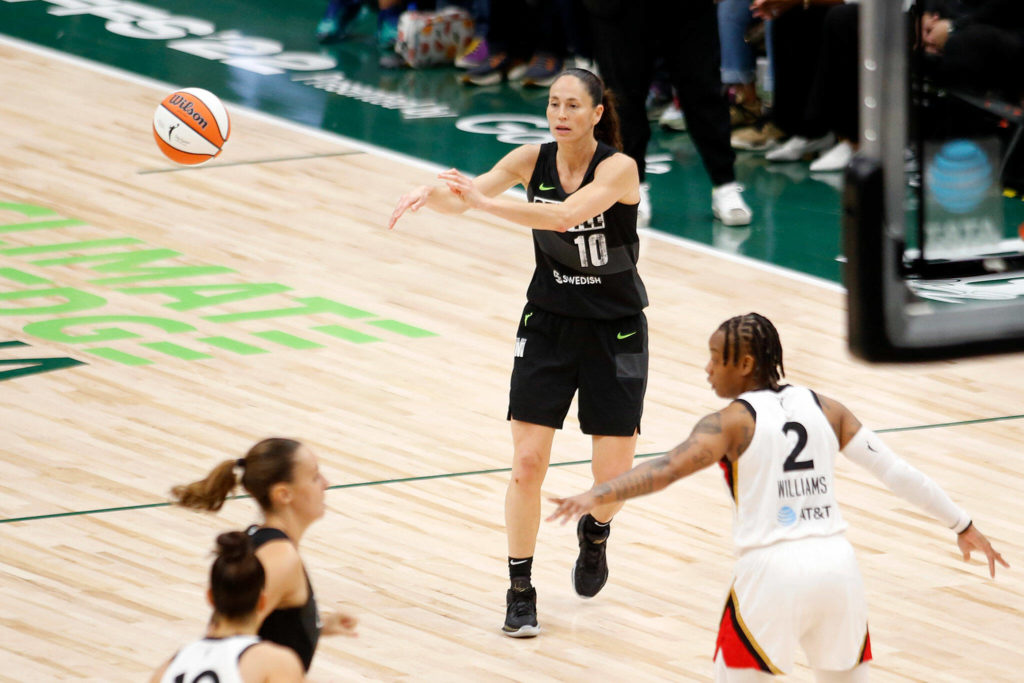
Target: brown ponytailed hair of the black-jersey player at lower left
(268,463)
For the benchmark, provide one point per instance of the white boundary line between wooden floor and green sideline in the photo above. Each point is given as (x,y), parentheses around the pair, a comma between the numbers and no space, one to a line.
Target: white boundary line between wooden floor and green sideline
(368,148)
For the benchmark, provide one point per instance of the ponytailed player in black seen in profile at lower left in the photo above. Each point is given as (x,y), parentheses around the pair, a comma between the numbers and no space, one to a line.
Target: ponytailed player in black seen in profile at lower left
(284,478)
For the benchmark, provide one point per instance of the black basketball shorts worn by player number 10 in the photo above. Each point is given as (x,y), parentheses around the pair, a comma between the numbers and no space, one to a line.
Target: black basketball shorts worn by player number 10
(606,361)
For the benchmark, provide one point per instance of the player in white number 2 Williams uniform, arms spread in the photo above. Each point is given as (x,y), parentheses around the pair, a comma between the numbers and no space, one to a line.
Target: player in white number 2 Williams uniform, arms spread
(796,581)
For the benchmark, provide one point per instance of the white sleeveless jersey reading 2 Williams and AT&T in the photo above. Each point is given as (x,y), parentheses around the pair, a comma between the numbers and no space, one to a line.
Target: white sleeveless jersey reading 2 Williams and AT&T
(783,485)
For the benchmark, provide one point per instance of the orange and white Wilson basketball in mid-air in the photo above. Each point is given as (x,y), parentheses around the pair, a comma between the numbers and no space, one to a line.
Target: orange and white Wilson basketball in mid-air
(191,126)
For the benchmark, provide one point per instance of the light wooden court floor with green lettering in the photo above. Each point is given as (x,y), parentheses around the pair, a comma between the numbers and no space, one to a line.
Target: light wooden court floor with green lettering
(400,382)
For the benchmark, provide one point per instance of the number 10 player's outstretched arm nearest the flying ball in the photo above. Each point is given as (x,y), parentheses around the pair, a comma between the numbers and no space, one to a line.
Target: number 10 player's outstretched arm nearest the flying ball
(513,170)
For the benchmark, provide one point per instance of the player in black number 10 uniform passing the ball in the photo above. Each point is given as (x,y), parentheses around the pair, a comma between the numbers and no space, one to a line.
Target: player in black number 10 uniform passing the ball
(583,328)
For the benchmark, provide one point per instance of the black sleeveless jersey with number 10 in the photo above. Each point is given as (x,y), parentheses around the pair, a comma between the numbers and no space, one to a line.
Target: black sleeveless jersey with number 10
(591,270)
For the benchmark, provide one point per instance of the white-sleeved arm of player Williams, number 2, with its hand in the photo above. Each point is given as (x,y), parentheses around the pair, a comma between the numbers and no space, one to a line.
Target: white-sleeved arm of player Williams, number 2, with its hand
(865,448)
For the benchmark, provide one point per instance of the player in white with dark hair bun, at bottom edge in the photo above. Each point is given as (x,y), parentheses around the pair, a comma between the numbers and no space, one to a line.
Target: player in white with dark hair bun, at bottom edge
(232,653)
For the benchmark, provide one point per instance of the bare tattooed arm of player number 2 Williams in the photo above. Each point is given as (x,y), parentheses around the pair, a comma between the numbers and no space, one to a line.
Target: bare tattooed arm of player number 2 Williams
(728,434)
